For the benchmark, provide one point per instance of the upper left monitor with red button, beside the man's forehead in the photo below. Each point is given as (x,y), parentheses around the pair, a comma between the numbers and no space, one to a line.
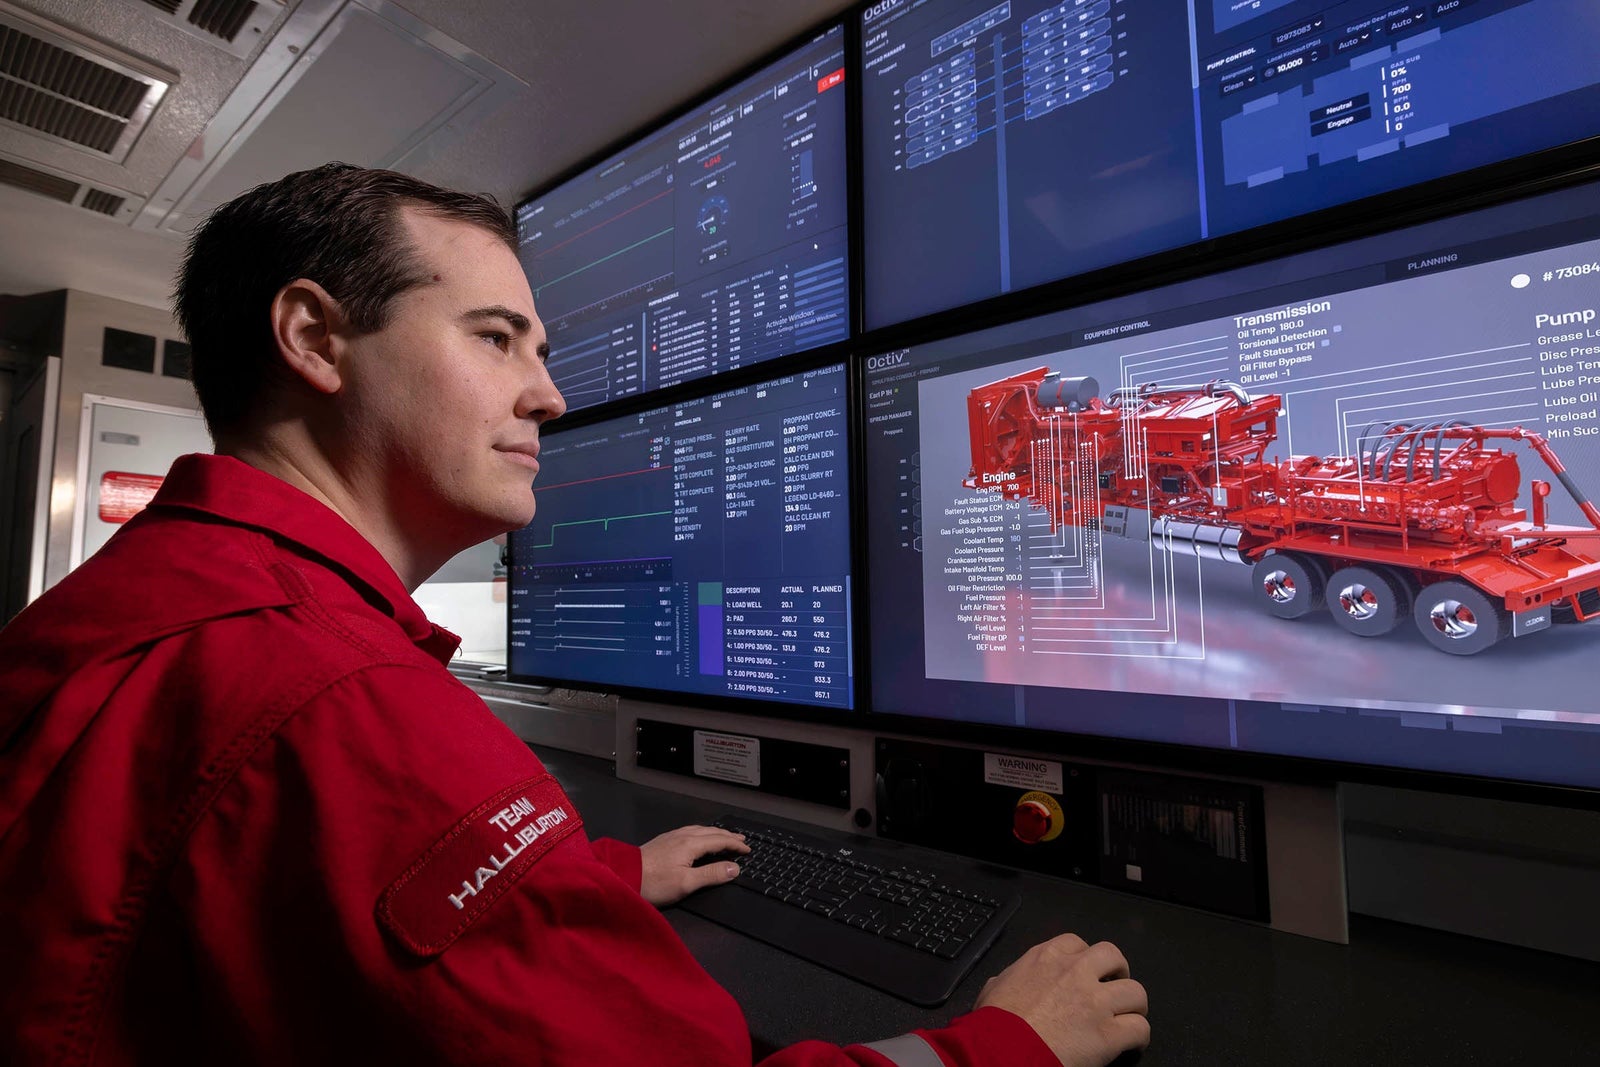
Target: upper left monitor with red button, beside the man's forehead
(714,244)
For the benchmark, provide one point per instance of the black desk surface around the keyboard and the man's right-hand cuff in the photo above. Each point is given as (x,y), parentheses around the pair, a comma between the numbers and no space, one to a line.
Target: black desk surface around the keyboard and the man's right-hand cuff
(1222,991)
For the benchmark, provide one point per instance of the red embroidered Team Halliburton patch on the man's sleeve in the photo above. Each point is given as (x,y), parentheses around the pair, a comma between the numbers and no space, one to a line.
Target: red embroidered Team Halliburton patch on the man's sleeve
(468,869)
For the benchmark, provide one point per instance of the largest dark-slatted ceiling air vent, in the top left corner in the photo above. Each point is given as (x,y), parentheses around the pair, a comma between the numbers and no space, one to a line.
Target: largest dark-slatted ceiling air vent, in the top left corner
(65,87)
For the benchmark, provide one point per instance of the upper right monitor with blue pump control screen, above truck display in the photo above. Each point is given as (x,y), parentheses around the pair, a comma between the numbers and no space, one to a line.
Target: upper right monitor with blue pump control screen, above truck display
(1023,142)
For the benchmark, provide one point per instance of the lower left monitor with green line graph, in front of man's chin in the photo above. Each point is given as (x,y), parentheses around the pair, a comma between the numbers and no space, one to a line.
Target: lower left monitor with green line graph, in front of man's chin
(698,549)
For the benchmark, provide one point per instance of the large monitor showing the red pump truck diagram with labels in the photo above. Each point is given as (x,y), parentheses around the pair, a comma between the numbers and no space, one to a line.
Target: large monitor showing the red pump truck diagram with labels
(1334,506)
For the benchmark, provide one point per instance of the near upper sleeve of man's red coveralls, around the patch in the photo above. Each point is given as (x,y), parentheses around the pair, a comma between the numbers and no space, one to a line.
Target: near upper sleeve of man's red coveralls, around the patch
(278,905)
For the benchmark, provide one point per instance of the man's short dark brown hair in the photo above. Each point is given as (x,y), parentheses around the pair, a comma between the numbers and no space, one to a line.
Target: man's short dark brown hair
(338,226)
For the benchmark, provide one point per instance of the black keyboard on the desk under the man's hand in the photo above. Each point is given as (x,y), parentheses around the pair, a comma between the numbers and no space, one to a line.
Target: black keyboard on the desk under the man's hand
(860,909)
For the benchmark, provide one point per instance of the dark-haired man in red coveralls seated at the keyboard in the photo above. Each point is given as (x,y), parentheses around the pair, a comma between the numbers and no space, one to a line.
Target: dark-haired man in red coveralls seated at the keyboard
(246,812)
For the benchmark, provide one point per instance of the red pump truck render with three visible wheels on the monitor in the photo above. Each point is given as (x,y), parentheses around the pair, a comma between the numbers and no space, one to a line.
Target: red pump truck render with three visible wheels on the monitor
(1422,522)
